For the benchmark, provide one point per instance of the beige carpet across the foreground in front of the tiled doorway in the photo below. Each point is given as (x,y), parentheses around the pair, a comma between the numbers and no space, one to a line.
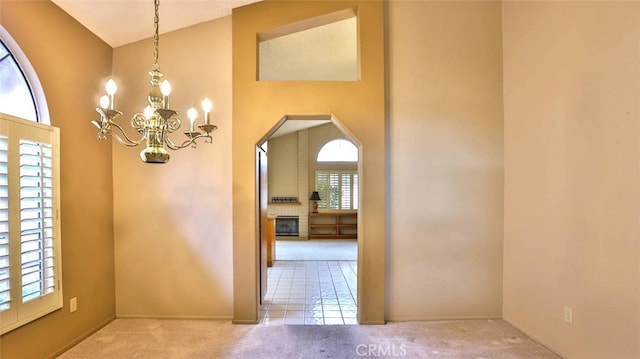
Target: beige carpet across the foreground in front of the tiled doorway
(150,338)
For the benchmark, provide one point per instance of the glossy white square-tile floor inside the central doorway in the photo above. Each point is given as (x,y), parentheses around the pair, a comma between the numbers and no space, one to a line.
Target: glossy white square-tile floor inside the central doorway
(311,292)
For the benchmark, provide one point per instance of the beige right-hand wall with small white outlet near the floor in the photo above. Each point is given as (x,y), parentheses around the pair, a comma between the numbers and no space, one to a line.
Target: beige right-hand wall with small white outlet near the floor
(572,200)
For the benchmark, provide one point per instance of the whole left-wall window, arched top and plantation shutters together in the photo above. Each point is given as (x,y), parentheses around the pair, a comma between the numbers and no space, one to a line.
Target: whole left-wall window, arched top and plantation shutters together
(30,243)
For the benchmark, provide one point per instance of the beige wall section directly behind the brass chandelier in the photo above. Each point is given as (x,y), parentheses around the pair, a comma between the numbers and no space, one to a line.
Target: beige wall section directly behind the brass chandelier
(173,221)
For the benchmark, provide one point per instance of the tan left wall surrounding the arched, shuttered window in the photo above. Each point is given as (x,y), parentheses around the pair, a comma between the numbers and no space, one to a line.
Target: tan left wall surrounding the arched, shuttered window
(69,60)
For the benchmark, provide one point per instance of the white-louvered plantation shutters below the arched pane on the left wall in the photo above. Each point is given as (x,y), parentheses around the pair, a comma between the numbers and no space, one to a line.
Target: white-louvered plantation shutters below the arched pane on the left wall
(30,261)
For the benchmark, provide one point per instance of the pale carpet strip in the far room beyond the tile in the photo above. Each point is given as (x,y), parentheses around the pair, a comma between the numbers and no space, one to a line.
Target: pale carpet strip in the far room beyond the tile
(317,250)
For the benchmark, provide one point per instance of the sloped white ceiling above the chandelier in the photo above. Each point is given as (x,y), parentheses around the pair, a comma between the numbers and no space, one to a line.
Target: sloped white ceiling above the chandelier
(120,22)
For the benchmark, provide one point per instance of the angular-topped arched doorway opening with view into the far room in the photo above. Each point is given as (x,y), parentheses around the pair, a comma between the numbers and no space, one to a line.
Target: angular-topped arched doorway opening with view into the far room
(314,275)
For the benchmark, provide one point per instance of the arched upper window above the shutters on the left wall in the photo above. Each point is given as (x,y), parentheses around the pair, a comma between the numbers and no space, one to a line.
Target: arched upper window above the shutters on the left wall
(21,94)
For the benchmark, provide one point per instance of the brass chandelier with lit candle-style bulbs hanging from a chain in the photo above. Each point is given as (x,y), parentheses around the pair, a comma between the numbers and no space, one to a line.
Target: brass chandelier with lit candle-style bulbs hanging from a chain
(157,120)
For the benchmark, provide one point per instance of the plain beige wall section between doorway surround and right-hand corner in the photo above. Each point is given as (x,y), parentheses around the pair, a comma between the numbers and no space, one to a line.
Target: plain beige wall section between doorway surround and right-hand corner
(445,153)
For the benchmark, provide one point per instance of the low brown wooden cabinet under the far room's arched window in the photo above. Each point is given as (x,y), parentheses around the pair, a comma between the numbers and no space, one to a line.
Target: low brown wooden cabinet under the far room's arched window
(333,225)
